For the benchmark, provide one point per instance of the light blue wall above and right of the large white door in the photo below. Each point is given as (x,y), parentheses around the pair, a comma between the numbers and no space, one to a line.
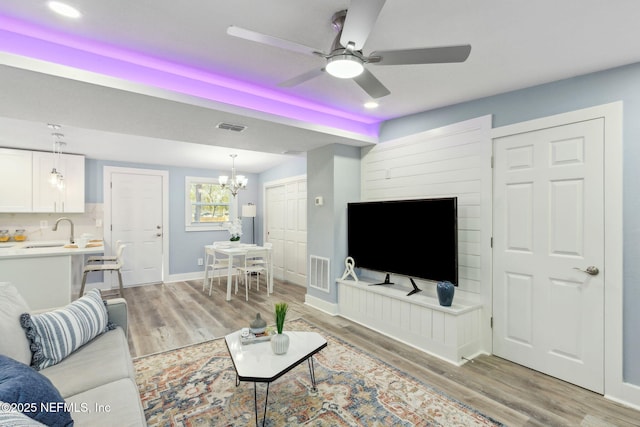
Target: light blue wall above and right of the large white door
(619,84)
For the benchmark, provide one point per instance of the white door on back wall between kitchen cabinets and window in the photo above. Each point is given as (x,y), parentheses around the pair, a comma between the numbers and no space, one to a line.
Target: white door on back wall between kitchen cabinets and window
(137,220)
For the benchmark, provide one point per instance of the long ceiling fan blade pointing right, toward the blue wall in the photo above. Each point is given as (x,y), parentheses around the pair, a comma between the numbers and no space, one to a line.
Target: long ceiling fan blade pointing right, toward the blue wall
(429,55)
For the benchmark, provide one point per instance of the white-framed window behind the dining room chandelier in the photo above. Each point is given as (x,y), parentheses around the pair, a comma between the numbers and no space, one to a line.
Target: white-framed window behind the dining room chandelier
(208,206)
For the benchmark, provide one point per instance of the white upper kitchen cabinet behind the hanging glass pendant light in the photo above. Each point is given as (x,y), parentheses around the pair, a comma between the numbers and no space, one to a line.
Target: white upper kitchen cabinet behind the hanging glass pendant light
(47,198)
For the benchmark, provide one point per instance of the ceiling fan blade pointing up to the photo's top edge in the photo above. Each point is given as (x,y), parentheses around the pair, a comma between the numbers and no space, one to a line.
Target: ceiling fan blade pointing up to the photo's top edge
(361,16)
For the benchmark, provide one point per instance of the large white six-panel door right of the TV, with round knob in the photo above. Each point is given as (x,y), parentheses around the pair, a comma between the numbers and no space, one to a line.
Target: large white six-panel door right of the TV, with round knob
(548,221)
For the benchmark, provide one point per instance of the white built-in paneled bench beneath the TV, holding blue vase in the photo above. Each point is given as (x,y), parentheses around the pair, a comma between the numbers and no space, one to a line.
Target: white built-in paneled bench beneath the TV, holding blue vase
(450,333)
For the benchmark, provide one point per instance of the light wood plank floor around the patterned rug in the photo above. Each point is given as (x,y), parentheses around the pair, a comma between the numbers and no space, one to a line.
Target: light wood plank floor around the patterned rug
(163,317)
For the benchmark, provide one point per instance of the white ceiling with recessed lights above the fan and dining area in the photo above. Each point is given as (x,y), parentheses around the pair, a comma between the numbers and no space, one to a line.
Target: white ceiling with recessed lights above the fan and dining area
(515,44)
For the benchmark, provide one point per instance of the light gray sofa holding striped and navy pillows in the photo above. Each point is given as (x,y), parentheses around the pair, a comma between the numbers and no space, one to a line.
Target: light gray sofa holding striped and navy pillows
(97,381)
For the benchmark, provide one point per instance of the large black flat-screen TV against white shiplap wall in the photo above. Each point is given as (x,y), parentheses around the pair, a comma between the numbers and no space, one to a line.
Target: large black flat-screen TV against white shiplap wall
(415,238)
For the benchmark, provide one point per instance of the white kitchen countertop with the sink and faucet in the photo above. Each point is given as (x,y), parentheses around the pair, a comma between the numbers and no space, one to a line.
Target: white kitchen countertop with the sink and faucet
(44,249)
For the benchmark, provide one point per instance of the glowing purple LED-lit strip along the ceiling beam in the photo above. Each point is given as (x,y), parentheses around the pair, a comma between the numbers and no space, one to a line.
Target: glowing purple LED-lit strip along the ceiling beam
(27,40)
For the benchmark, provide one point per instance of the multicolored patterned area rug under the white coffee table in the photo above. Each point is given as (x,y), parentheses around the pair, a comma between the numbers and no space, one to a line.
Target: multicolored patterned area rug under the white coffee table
(195,386)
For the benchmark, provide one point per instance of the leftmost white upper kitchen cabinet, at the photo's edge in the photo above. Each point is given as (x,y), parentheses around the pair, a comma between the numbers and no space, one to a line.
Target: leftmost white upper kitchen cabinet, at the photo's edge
(15,180)
